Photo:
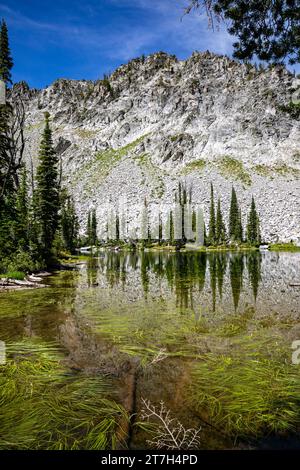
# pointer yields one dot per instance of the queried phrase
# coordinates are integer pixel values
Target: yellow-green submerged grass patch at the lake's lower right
(247, 393)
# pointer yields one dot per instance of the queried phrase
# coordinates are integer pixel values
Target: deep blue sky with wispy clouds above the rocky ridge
(77, 39)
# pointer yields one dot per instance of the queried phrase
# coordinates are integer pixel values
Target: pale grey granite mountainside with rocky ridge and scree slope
(158, 120)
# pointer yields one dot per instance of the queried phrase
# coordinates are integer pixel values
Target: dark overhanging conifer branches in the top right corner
(268, 30)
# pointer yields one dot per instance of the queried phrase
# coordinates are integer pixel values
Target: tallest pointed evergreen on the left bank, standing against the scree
(46, 197)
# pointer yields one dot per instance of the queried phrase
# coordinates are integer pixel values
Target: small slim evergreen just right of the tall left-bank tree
(69, 222)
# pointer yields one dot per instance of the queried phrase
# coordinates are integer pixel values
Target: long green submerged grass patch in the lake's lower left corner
(43, 405)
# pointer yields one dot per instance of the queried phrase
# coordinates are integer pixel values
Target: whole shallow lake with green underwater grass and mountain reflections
(204, 338)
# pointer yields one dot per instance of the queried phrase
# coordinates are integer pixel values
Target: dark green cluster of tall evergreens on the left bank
(28, 228)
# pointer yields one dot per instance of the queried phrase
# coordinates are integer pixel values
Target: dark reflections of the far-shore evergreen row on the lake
(187, 274)
